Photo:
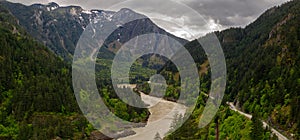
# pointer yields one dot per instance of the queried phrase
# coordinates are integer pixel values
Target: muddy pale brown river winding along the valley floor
(160, 119)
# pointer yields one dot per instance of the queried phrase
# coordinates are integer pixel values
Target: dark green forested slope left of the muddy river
(36, 95)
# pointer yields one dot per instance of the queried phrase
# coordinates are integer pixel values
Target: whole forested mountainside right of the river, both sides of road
(263, 78)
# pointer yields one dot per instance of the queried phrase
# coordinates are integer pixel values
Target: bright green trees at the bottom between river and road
(232, 125)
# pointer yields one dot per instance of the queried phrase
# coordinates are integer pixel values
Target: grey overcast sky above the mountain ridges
(185, 18)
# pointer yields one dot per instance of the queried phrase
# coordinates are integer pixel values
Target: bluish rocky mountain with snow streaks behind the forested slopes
(59, 28)
